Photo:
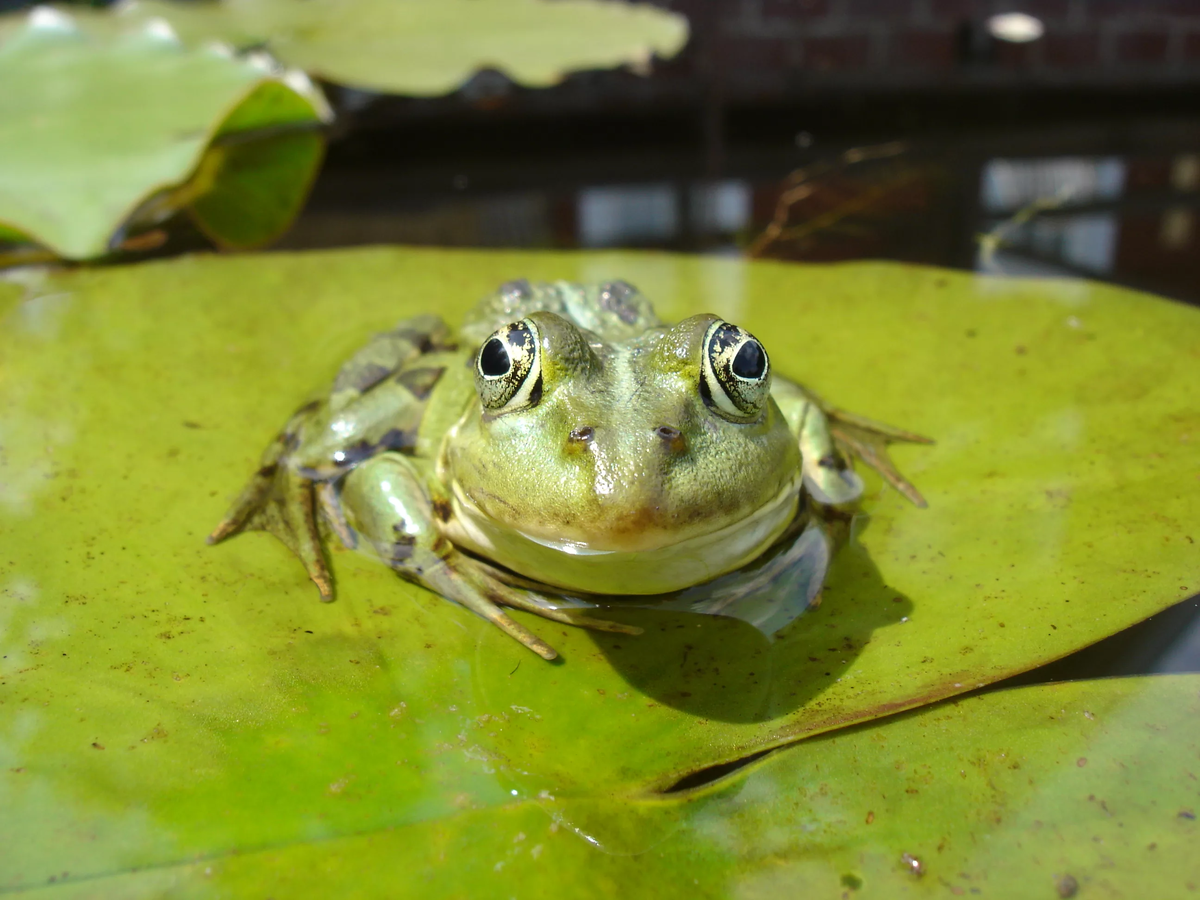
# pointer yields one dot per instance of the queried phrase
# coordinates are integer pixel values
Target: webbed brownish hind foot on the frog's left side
(280, 501)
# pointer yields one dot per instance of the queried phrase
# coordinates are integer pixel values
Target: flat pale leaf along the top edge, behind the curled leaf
(431, 47)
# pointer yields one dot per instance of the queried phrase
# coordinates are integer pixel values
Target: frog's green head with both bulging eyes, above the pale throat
(627, 447)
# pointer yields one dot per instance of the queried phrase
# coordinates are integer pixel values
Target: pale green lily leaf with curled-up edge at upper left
(103, 130)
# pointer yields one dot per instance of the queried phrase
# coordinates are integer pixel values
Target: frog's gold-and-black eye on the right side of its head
(736, 375)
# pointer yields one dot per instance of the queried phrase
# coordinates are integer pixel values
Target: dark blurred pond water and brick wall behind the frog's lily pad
(899, 129)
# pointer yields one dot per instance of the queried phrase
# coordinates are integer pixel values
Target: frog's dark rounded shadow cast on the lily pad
(759, 659)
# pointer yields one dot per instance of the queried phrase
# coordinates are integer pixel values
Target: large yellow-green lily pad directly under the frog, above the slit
(164, 701)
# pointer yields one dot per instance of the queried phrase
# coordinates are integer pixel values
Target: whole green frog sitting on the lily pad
(567, 448)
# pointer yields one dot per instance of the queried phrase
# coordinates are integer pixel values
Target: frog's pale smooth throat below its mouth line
(577, 567)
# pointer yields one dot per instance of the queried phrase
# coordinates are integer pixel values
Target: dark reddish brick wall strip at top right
(943, 43)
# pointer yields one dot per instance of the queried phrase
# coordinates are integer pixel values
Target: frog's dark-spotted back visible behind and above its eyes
(615, 310)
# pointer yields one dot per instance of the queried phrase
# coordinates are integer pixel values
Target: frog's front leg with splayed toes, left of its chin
(386, 501)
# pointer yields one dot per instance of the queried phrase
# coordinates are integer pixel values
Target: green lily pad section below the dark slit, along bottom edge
(1035, 793)
